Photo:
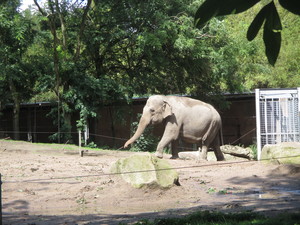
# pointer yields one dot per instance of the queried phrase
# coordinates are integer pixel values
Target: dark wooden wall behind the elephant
(113, 125)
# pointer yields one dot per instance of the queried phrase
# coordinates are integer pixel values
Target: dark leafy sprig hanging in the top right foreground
(268, 16)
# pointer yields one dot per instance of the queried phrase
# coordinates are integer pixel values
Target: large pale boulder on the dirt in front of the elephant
(158, 171)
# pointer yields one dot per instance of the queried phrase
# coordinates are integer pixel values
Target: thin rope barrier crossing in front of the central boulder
(145, 171)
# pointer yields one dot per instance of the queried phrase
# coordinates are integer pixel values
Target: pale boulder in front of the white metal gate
(283, 153)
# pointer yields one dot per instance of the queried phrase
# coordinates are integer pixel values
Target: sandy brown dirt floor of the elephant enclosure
(47, 184)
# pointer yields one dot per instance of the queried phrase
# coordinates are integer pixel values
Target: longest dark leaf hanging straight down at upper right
(272, 34)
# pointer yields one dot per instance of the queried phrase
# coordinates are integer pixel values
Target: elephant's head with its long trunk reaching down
(154, 112)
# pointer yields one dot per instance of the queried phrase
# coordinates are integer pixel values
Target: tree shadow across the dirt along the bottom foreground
(267, 206)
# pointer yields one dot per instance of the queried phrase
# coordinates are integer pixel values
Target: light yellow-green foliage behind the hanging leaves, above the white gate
(253, 70)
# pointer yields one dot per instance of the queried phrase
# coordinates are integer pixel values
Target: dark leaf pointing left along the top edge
(211, 8)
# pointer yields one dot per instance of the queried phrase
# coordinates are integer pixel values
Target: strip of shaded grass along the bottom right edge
(218, 218)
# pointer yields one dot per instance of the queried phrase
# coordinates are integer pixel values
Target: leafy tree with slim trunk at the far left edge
(16, 35)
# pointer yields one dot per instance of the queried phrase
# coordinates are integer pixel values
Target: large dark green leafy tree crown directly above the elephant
(152, 47)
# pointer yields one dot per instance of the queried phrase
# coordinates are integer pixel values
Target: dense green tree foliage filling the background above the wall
(86, 54)
